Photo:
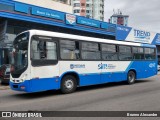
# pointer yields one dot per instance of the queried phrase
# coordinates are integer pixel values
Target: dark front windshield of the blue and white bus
(20, 53)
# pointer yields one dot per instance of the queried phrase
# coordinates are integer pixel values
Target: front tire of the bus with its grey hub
(68, 84)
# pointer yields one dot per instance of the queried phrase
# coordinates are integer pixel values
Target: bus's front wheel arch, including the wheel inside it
(69, 82)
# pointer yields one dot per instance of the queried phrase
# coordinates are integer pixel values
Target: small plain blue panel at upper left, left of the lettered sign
(21, 7)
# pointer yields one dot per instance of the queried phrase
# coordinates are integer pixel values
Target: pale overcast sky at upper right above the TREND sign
(143, 14)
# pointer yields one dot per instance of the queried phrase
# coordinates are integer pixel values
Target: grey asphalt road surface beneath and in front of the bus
(144, 95)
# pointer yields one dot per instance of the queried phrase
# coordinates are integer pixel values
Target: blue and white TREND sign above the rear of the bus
(137, 35)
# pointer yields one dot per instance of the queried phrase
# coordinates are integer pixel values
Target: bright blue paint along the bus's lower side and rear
(43, 84)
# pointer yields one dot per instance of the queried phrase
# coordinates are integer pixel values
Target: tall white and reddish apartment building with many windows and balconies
(93, 9)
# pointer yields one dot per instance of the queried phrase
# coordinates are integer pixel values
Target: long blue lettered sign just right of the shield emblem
(88, 22)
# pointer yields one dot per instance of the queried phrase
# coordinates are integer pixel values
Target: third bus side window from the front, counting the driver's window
(90, 51)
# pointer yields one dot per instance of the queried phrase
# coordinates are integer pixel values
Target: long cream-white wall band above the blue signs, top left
(50, 4)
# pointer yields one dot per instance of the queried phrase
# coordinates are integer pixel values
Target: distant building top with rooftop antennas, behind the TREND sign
(119, 18)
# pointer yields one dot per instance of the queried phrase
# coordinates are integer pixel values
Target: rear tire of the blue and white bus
(131, 77)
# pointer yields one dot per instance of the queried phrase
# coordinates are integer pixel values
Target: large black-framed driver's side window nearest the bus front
(43, 51)
